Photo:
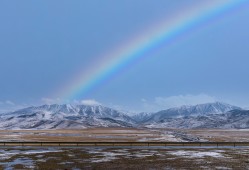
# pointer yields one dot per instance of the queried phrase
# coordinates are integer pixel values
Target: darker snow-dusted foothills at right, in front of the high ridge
(235, 119)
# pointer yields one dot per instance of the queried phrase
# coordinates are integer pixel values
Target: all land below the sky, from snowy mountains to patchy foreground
(210, 122)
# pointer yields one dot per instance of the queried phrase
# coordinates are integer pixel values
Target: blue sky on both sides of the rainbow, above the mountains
(45, 43)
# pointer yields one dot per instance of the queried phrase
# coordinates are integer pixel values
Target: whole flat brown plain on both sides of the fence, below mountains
(124, 157)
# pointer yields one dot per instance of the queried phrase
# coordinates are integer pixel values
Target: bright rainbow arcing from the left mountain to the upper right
(133, 50)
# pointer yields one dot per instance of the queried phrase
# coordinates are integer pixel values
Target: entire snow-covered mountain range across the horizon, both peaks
(66, 116)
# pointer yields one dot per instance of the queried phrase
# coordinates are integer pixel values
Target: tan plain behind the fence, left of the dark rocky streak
(87, 135)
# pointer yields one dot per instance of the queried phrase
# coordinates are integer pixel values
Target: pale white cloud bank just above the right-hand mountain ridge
(160, 103)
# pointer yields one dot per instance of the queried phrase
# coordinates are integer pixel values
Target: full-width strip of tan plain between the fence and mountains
(126, 135)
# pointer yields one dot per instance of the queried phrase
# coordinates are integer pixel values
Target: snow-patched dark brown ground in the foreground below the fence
(123, 158)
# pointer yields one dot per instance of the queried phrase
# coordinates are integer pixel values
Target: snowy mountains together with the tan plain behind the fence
(210, 122)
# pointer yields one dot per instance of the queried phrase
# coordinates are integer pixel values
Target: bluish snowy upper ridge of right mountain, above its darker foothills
(183, 111)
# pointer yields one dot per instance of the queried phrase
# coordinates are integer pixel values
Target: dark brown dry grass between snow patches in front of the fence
(156, 159)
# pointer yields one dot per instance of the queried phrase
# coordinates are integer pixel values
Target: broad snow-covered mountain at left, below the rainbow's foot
(64, 116)
